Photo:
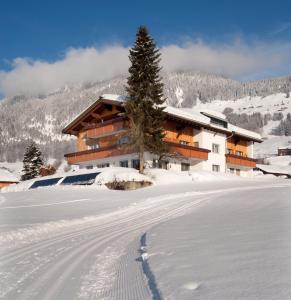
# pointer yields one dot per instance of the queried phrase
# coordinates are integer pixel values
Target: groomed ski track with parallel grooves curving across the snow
(90, 258)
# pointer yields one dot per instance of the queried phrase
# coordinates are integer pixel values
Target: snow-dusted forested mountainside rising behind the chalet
(42, 117)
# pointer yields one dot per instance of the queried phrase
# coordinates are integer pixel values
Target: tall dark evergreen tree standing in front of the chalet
(145, 97)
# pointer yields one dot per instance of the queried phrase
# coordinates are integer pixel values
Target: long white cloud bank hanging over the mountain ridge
(236, 60)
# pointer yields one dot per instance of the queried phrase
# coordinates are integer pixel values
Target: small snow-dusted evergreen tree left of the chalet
(32, 162)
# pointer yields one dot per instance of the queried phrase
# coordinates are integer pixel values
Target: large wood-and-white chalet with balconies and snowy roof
(197, 140)
